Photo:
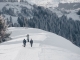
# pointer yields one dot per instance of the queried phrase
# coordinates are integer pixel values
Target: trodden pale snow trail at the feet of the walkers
(29, 53)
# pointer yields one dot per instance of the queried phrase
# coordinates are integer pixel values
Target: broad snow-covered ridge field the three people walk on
(46, 46)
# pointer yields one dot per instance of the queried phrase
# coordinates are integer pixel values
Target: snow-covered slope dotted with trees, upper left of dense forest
(16, 8)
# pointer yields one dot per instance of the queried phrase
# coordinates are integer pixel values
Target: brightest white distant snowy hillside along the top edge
(51, 3)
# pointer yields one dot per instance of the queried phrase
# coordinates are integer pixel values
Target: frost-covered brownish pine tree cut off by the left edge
(3, 28)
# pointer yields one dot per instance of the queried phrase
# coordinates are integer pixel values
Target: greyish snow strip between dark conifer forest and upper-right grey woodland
(71, 13)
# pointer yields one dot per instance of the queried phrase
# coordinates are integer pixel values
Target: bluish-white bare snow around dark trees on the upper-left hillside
(17, 9)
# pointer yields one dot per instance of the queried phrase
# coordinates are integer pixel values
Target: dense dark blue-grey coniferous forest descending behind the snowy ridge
(44, 19)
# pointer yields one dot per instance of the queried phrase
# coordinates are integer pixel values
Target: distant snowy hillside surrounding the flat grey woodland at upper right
(55, 3)
